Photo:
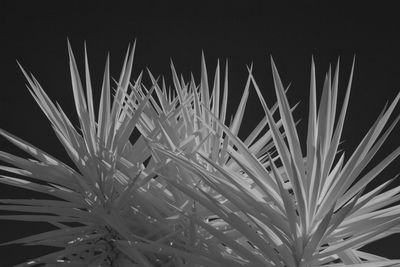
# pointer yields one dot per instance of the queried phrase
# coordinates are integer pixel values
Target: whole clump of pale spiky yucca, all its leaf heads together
(189, 191)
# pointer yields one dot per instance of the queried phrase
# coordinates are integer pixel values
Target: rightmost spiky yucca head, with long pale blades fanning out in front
(311, 211)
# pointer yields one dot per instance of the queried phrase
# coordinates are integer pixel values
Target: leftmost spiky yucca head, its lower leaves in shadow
(122, 211)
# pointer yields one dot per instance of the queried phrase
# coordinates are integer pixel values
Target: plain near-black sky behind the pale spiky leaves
(35, 33)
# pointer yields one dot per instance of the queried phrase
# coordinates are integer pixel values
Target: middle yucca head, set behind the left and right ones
(183, 125)
